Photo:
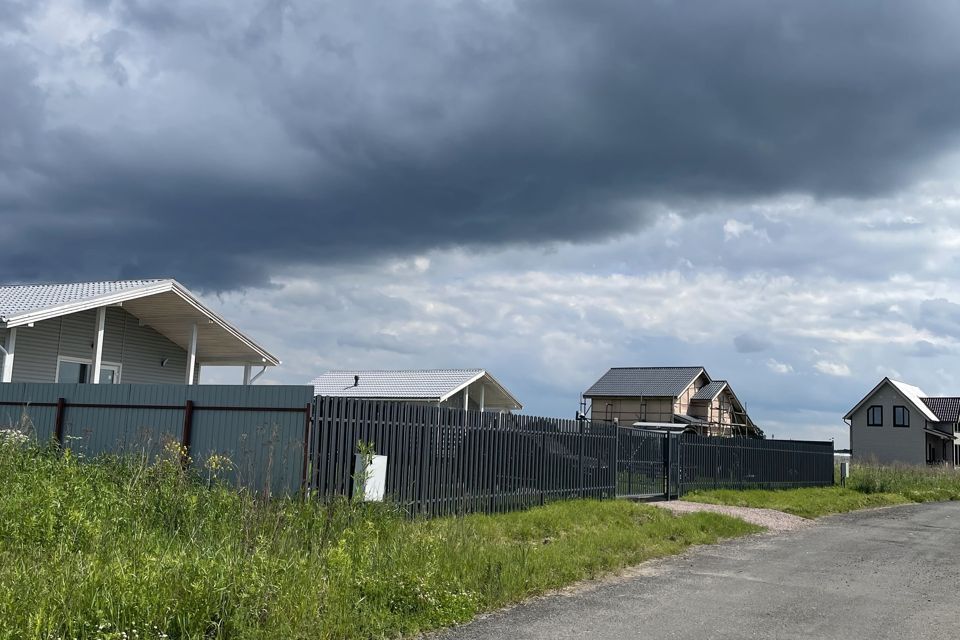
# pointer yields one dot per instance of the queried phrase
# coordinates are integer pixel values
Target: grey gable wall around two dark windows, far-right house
(888, 444)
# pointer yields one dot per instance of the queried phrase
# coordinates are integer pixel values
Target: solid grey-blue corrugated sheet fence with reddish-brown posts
(261, 429)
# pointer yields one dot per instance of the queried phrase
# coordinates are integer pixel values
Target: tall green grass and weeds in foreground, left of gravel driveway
(118, 549)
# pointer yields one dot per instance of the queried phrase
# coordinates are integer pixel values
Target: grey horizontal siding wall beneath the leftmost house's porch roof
(138, 350)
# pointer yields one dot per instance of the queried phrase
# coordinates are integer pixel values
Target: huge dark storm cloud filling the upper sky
(225, 140)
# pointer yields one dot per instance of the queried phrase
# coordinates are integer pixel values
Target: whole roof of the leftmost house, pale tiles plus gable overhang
(163, 304)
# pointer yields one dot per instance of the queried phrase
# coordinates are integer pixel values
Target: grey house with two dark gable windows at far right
(897, 423)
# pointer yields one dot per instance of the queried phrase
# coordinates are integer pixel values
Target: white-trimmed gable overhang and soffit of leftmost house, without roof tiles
(170, 309)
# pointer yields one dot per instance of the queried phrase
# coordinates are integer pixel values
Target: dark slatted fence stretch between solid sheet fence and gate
(444, 461)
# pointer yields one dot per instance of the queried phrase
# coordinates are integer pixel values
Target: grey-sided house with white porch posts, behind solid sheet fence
(130, 331)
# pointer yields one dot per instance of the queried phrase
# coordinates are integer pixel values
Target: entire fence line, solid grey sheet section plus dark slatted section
(440, 461)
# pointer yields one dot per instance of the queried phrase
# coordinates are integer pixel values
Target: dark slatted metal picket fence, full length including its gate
(445, 461)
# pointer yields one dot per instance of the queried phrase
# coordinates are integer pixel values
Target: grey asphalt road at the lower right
(886, 573)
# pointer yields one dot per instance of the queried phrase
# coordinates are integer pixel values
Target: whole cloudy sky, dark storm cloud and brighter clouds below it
(542, 188)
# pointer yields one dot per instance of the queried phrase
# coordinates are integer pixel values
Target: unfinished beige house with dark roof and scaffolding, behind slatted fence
(659, 396)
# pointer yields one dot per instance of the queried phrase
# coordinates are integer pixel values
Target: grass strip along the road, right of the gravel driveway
(868, 486)
